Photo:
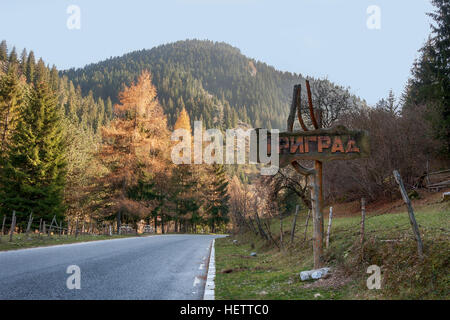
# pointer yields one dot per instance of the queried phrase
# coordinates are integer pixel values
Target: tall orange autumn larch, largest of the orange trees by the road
(135, 151)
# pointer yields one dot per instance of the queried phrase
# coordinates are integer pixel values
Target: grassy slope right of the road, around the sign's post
(274, 273)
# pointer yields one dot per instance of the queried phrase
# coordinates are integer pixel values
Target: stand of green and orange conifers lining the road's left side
(70, 155)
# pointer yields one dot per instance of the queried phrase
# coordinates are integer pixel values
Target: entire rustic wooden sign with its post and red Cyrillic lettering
(320, 145)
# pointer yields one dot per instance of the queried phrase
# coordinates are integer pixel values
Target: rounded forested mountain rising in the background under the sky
(213, 81)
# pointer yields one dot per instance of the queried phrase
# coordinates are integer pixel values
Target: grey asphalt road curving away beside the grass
(155, 267)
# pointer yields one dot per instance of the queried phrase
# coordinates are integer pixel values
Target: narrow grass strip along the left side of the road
(21, 241)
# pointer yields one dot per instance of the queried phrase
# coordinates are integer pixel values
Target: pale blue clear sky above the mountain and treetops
(369, 51)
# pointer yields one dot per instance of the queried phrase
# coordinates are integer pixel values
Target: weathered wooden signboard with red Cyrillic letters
(337, 143)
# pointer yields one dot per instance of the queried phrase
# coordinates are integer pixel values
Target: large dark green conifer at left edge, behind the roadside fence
(33, 174)
